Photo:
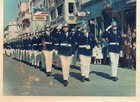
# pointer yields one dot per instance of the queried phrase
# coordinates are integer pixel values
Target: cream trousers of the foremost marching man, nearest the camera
(65, 62)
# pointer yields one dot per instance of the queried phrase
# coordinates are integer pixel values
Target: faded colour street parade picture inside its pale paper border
(69, 48)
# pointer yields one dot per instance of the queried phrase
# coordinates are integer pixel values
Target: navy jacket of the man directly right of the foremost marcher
(83, 40)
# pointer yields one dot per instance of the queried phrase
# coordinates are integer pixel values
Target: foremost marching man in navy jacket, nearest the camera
(66, 51)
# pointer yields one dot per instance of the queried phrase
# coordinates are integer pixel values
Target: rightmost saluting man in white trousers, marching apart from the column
(115, 41)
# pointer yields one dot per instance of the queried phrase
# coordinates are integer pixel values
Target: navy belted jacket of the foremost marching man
(66, 44)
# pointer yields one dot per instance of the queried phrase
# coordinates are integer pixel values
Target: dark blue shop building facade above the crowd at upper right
(103, 12)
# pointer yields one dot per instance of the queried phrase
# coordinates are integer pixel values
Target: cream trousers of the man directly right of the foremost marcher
(85, 65)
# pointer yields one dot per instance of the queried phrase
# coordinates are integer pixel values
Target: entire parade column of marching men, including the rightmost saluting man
(46, 47)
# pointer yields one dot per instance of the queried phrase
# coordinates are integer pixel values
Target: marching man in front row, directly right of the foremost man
(86, 43)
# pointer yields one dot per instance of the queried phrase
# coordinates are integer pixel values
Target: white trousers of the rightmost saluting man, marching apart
(114, 58)
